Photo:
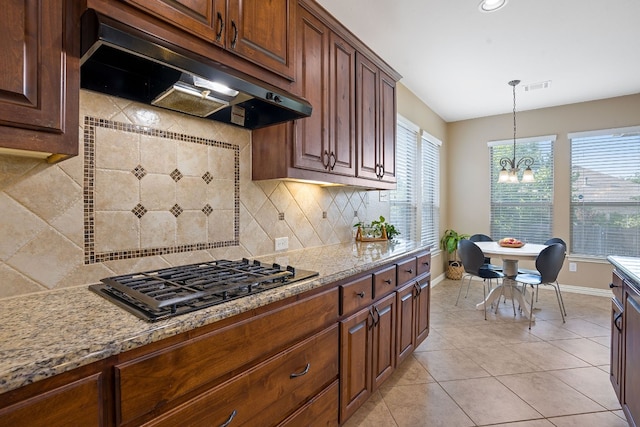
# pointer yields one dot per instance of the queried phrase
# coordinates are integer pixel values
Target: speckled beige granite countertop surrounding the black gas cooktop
(48, 333)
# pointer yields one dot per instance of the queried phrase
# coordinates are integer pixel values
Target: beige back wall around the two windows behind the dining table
(467, 175)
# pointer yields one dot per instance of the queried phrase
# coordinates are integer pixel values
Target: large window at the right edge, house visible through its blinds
(605, 192)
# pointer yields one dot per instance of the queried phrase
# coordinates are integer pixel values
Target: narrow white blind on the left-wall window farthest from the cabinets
(430, 180)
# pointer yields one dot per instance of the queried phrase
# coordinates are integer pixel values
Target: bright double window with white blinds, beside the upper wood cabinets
(415, 204)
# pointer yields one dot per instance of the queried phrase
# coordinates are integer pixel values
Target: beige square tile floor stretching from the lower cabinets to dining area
(472, 372)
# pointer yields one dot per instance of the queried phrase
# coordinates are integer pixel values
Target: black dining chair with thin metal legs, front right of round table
(548, 265)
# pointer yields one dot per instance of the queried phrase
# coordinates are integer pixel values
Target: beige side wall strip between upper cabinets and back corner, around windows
(413, 109)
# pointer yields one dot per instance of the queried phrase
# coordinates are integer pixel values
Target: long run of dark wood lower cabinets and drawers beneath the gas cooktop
(310, 360)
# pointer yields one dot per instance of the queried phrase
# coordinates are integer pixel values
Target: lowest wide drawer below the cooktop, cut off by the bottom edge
(322, 410)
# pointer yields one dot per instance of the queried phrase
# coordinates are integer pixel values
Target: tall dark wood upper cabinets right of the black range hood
(350, 136)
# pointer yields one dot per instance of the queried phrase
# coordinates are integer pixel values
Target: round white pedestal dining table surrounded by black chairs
(510, 258)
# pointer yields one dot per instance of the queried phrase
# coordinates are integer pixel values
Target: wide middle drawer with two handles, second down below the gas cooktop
(265, 394)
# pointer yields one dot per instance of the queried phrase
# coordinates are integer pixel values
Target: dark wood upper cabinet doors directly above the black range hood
(259, 31)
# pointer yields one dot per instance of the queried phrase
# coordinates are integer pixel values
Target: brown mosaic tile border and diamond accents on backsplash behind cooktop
(92, 253)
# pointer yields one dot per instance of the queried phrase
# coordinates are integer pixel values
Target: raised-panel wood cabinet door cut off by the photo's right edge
(631, 381)
